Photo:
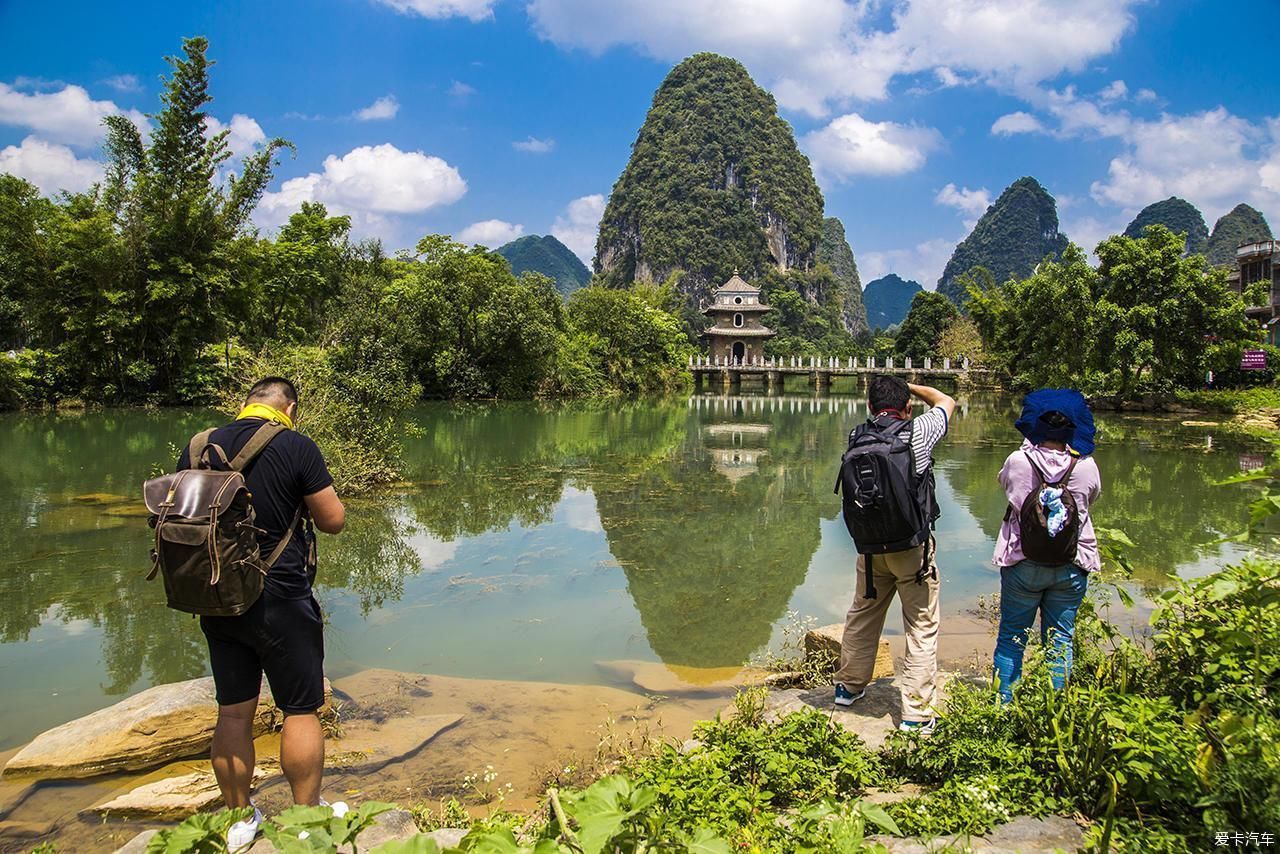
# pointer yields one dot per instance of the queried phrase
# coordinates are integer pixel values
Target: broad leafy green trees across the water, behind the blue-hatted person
(1148, 319)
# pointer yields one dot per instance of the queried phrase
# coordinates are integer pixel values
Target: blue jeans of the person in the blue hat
(1027, 590)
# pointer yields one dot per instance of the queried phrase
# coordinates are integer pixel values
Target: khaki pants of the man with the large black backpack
(895, 573)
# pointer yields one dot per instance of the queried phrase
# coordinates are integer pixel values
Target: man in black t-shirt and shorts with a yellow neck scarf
(282, 634)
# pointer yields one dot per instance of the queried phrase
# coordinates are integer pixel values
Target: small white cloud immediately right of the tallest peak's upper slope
(853, 147)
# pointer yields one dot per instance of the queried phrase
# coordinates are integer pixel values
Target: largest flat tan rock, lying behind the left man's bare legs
(152, 728)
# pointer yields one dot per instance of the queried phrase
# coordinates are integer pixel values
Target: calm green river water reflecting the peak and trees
(537, 540)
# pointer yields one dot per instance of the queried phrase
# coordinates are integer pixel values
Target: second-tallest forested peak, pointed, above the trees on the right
(1016, 235)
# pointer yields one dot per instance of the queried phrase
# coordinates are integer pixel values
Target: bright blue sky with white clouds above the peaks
(487, 120)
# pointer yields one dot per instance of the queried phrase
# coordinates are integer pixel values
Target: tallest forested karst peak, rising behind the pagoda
(715, 182)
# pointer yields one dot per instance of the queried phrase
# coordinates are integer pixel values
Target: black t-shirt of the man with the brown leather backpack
(289, 469)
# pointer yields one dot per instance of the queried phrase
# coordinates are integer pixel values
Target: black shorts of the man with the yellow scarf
(285, 640)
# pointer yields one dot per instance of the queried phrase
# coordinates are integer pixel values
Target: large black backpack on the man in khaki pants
(888, 508)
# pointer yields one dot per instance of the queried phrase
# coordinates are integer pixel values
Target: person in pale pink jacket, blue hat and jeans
(1048, 547)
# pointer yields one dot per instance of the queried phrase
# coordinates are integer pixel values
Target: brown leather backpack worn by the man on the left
(205, 538)
